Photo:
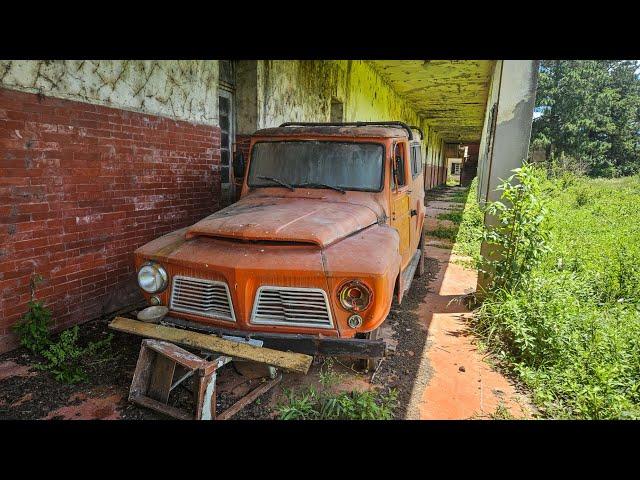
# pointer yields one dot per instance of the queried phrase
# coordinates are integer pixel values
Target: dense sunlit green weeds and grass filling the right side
(567, 320)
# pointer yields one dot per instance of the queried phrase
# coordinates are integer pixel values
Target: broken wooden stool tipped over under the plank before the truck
(153, 380)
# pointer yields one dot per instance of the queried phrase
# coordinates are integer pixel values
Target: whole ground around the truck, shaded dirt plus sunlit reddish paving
(437, 368)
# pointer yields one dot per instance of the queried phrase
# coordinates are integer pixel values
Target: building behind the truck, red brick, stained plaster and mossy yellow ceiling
(100, 157)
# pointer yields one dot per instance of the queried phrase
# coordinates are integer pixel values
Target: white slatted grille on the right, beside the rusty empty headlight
(298, 307)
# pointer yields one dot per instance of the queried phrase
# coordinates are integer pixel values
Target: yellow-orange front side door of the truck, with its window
(400, 200)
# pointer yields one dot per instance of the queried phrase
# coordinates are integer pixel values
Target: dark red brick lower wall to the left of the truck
(81, 187)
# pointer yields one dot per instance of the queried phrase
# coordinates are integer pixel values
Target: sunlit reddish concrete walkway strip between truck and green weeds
(462, 383)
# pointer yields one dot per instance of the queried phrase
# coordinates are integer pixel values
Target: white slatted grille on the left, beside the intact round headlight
(207, 298)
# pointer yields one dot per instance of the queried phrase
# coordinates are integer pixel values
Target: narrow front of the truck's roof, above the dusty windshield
(334, 130)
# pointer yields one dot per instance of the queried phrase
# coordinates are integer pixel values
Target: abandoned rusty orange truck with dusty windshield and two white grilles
(328, 228)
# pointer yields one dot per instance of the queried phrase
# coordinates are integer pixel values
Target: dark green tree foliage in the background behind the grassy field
(590, 112)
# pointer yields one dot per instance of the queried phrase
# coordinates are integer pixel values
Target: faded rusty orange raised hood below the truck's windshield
(286, 219)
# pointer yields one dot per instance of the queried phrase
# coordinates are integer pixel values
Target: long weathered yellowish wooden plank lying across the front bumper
(295, 362)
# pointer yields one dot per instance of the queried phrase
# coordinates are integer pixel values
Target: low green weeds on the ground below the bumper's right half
(326, 404)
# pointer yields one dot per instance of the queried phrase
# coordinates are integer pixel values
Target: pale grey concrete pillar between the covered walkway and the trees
(511, 102)
